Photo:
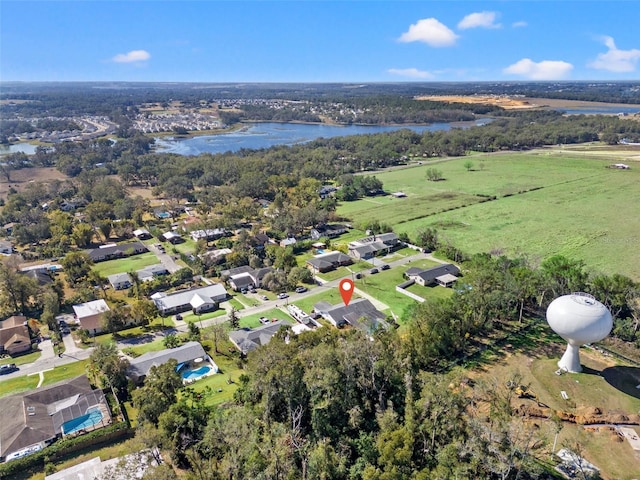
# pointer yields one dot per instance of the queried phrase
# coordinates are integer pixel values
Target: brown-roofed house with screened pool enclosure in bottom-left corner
(31, 420)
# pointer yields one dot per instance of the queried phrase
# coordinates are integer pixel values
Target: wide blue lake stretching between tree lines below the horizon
(265, 135)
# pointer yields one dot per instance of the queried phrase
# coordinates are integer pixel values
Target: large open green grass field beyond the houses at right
(571, 212)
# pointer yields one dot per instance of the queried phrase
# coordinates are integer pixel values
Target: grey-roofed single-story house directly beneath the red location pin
(360, 313)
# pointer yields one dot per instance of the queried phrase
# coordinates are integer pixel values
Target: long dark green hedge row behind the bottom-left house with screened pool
(63, 447)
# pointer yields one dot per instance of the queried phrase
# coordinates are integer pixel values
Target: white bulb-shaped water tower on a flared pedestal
(578, 318)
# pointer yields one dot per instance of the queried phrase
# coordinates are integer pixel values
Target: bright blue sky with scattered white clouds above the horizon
(318, 41)
